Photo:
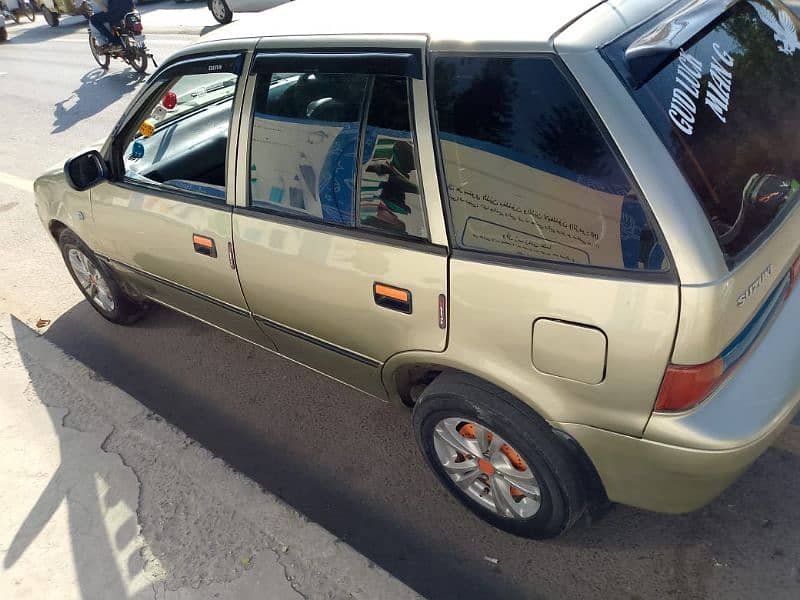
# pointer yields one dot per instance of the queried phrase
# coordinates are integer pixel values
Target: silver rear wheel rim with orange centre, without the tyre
(486, 468)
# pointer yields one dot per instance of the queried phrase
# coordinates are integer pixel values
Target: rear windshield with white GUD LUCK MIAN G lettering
(725, 105)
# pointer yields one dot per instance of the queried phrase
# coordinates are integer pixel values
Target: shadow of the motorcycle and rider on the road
(97, 91)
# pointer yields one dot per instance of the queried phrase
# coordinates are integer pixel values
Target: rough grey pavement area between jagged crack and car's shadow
(201, 525)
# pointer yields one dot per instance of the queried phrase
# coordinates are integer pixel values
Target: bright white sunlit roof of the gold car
(502, 21)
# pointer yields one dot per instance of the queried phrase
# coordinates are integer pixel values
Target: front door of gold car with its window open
(166, 213)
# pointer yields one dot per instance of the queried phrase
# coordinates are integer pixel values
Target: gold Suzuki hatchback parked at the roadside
(567, 236)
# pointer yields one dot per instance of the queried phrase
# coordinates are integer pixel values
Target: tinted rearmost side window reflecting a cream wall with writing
(528, 171)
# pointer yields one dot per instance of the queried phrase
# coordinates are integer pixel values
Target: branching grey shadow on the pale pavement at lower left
(89, 484)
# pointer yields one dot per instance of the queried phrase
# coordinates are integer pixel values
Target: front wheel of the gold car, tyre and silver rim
(97, 282)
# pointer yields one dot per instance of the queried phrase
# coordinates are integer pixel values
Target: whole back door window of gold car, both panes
(309, 132)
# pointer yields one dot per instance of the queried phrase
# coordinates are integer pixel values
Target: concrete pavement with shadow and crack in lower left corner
(103, 499)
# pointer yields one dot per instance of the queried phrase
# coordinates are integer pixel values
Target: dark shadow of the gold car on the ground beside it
(349, 463)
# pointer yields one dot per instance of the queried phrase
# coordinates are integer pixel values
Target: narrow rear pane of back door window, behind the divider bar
(390, 197)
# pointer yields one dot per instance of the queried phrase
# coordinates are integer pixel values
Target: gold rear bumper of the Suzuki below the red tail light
(686, 460)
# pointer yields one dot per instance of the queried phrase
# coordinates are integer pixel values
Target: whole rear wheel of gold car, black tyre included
(528, 444)
